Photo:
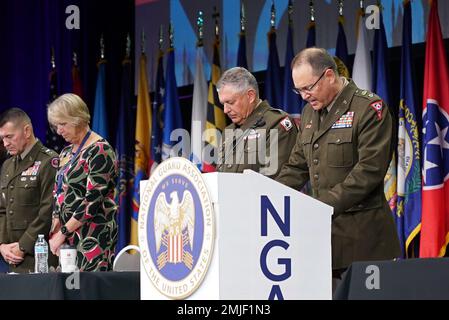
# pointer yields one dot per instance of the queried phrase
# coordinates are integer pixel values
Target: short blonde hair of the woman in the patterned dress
(70, 108)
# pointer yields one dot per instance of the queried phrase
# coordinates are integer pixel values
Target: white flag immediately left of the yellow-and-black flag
(199, 109)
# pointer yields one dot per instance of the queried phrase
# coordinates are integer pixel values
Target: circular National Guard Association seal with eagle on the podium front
(176, 228)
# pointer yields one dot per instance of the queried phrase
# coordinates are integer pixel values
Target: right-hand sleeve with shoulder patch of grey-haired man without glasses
(286, 138)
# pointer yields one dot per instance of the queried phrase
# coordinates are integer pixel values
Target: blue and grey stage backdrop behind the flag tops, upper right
(150, 14)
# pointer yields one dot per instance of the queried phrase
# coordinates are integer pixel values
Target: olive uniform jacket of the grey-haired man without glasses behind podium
(253, 145)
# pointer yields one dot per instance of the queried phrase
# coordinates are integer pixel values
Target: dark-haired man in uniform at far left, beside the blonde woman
(27, 180)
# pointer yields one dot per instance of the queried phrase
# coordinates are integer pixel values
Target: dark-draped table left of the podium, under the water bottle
(71, 286)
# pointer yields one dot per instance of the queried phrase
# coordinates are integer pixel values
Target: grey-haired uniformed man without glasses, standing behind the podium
(260, 137)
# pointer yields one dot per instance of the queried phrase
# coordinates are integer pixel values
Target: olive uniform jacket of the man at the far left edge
(26, 200)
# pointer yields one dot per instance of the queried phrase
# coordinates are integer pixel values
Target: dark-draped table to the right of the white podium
(392, 280)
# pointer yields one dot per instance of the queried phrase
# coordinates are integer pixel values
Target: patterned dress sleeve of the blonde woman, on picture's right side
(102, 172)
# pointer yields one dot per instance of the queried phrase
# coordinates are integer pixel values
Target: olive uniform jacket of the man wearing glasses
(346, 160)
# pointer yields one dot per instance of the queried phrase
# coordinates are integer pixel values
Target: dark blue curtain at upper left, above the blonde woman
(28, 30)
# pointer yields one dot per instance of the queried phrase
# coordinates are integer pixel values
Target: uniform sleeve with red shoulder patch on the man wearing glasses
(374, 155)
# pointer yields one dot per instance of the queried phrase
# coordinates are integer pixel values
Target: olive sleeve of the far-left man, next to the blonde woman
(42, 222)
